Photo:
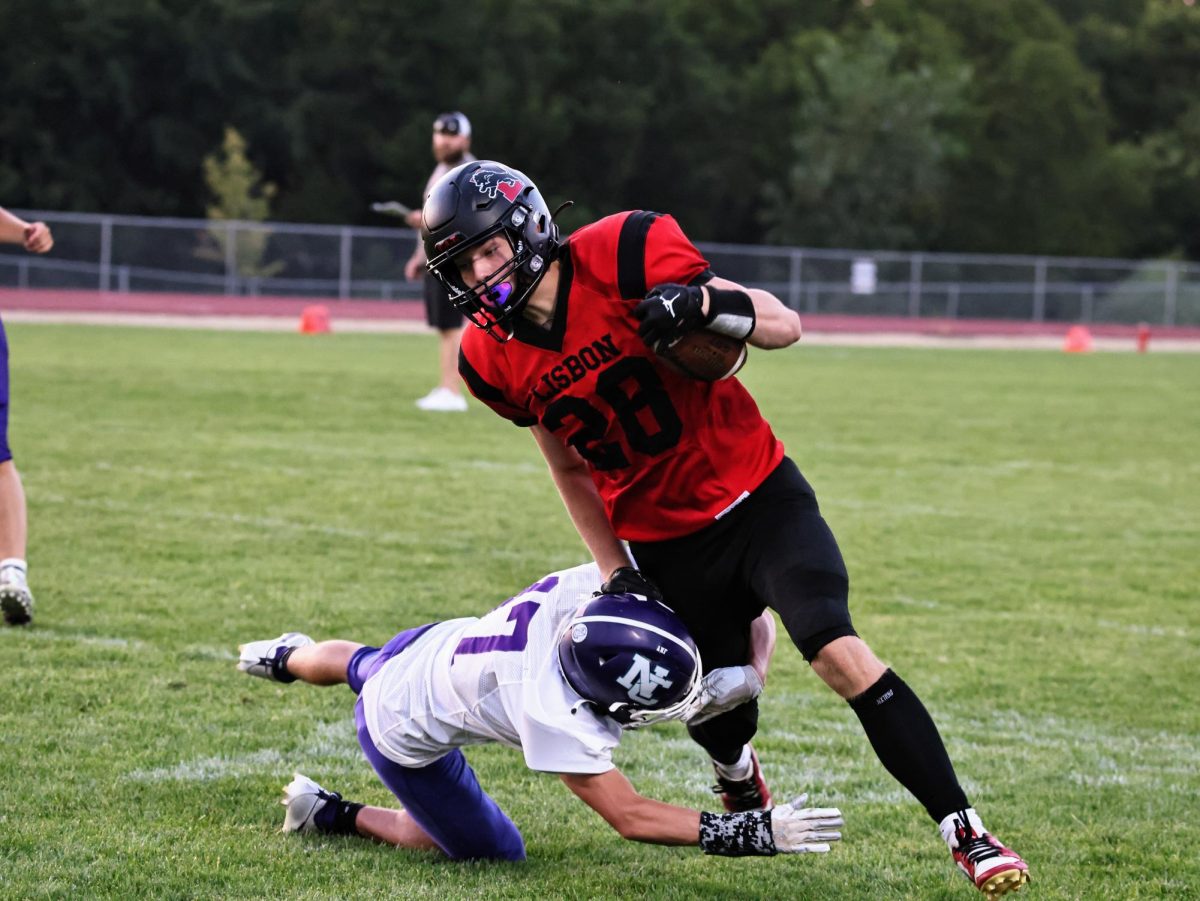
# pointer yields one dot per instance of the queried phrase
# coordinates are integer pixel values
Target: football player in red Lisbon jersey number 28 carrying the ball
(687, 472)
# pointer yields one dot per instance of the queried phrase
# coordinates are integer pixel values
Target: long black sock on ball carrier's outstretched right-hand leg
(909, 746)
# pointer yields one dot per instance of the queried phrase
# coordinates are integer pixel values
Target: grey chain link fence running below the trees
(131, 254)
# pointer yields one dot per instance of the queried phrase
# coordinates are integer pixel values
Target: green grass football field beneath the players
(1023, 532)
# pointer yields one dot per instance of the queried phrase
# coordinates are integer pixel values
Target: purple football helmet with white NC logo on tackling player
(632, 659)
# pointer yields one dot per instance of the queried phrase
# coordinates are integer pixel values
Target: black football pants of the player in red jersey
(775, 550)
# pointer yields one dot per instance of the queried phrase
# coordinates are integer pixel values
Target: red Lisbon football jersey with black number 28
(668, 454)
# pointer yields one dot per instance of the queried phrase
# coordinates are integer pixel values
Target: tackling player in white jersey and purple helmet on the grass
(549, 674)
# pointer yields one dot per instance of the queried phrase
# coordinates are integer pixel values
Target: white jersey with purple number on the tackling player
(496, 678)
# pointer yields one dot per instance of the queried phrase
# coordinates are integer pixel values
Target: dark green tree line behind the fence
(1021, 127)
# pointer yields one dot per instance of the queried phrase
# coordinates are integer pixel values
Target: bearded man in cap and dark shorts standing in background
(452, 147)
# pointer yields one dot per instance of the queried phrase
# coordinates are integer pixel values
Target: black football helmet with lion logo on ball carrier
(467, 207)
